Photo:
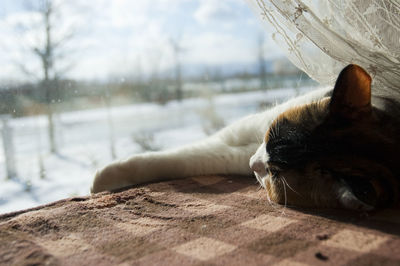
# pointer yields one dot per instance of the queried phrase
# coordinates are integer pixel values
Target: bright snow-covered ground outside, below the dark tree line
(84, 142)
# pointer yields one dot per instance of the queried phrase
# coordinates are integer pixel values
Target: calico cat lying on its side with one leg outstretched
(329, 148)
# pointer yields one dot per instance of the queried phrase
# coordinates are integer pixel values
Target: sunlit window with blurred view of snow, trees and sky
(83, 84)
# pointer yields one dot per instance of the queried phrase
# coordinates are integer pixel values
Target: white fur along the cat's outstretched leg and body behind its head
(226, 152)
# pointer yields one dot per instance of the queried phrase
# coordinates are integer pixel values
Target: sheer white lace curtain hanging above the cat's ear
(322, 36)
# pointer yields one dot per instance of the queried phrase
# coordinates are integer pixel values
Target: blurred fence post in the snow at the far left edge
(8, 147)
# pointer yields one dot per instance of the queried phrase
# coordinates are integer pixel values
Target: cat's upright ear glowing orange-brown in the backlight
(351, 96)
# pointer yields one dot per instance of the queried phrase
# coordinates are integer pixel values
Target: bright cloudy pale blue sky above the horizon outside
(127, 37)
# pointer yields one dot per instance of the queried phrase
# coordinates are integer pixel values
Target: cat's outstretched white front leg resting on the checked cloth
(209, 157)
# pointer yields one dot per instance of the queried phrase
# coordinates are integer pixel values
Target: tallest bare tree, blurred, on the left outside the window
(49, 54)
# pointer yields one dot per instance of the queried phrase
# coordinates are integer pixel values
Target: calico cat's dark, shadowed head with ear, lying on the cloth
(338, 152)
